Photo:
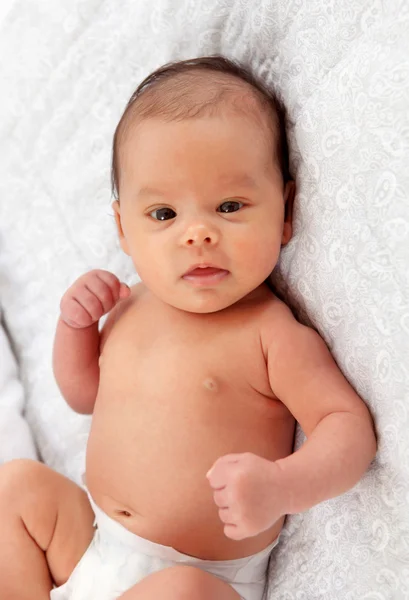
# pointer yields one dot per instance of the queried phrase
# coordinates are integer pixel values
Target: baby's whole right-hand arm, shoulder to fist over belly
(252, 493)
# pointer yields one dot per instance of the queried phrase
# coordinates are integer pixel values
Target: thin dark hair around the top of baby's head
(218, 64)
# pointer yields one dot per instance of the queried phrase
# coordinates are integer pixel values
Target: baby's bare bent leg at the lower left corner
(46, 524)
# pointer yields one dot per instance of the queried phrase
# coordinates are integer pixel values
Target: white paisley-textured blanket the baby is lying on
(342, 68)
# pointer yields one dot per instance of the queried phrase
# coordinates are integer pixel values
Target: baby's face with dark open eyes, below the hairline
(200, 192)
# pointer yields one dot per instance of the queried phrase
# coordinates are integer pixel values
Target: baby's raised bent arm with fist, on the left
(77, 340)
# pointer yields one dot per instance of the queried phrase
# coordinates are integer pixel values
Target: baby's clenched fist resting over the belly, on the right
(248, 493)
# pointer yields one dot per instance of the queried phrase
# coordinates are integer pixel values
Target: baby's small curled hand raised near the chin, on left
(90, 297)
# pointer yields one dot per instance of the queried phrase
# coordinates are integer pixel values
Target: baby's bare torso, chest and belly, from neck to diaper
(222, 404)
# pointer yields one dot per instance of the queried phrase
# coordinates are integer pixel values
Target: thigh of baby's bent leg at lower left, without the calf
(55, 511)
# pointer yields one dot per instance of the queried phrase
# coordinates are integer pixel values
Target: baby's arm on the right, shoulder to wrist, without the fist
(341, 441)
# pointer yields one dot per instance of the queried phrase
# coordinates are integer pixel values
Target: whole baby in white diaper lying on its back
(198, 375)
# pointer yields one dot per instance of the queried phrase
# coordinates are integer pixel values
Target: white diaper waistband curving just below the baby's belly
(108, 527)
